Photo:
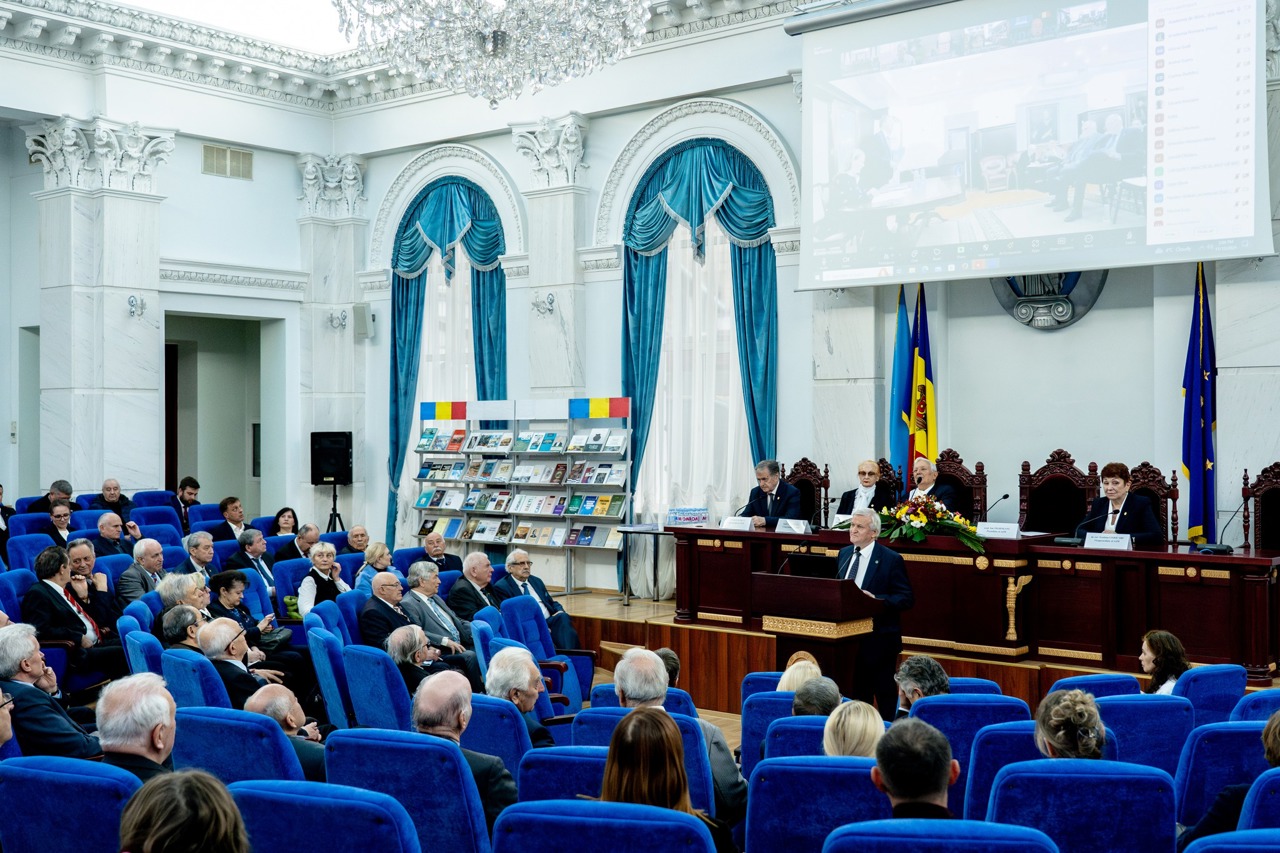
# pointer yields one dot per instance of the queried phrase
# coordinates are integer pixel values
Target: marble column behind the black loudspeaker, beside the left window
(333, 232)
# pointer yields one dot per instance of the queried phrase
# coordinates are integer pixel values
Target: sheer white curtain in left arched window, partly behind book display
(447, 372)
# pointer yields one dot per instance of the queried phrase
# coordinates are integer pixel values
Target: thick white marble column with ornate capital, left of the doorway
(102, 339)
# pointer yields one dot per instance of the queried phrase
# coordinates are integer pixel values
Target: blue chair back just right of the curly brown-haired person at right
(1153, 729)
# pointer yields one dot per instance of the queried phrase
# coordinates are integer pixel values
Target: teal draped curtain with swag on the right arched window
(688, 184)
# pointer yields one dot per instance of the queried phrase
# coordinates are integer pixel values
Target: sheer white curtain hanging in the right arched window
(698, 451)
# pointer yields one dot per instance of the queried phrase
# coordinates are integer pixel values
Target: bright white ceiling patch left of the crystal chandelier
(305, 25)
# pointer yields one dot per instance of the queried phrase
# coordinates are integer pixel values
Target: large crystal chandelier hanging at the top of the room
(492, 49)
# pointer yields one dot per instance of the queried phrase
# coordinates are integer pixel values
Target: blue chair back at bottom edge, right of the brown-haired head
(333, 818)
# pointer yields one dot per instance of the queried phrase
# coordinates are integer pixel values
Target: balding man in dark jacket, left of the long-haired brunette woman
(442, 708)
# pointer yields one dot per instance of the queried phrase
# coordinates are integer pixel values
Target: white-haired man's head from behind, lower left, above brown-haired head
(136, 726)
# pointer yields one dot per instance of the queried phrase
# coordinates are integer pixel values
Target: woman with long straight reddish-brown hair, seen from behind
(647, 767)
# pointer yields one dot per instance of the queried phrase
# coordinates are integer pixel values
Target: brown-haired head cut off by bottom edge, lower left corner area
(188, 811)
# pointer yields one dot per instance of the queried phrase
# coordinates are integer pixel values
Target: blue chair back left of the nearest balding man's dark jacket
(428, 776)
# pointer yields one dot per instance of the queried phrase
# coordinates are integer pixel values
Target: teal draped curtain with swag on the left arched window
(447, 213)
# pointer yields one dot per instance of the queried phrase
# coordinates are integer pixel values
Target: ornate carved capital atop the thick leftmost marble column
(98, 154)
